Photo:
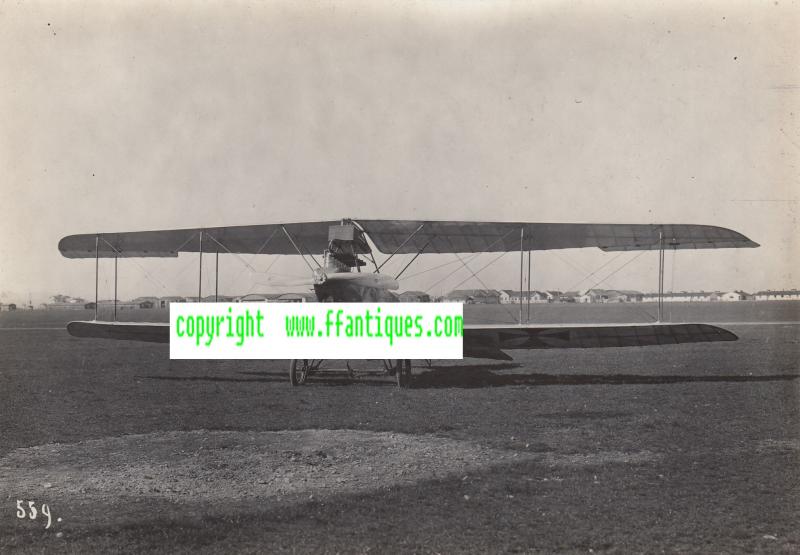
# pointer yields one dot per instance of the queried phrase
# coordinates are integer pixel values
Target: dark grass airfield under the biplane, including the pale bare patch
(677, 448)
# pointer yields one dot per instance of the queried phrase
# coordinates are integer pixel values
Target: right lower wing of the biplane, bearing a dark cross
(490, 340)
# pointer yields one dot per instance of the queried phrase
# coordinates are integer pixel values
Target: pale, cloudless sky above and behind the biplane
(132, 116)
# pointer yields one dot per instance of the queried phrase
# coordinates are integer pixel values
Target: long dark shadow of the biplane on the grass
(476, 376)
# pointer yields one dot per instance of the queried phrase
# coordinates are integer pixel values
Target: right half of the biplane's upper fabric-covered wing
(462, 237)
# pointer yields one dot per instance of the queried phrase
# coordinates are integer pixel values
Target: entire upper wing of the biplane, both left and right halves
(404, 236)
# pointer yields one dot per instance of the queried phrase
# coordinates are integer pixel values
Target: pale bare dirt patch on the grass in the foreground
(213, 466)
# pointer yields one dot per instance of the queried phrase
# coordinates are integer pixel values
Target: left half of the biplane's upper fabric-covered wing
(265, 239)
